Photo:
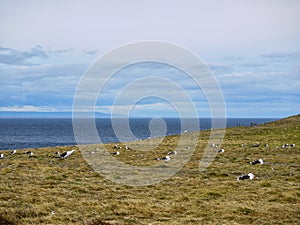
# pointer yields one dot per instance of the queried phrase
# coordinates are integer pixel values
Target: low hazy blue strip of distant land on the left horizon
(45, 115)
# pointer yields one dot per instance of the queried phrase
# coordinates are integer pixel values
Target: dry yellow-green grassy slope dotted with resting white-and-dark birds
(44, 189)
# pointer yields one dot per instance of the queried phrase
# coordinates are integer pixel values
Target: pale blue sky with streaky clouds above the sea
(251, 47)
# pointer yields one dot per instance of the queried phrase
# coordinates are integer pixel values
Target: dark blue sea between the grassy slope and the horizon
(48, 132)
